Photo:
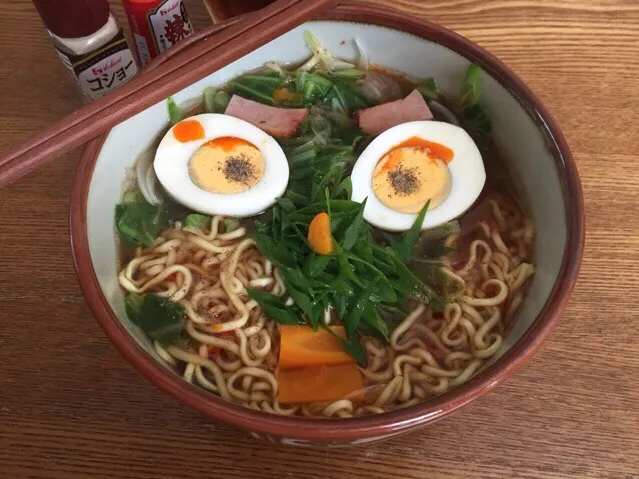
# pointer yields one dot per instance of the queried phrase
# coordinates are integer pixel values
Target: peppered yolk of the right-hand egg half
(410, 175)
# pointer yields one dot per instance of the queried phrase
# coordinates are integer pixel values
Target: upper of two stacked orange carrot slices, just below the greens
(300, 347)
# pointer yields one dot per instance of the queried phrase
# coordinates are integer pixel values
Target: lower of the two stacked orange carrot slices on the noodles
(318, 384)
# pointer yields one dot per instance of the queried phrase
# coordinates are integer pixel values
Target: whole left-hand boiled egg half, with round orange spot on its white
(218, 164)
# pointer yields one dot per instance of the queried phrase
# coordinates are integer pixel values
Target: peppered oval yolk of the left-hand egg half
(226, 165)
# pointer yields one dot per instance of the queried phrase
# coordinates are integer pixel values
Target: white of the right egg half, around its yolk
(466, 169)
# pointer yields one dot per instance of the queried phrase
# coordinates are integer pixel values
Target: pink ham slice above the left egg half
(279, 122)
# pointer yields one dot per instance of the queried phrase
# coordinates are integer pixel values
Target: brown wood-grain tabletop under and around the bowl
(70, 407)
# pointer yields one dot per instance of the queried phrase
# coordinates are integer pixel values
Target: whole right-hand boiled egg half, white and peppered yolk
(413, 163)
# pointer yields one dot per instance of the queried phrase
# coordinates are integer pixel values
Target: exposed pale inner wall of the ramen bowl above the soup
(514, 128)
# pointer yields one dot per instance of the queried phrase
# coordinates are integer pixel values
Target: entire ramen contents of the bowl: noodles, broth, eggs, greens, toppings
(353, 245)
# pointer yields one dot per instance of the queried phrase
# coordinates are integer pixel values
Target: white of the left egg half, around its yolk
(172, 169)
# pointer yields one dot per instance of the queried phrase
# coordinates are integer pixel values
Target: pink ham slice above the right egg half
(380, 118)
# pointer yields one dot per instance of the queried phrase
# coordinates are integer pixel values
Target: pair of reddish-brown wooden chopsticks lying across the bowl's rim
(184, 68)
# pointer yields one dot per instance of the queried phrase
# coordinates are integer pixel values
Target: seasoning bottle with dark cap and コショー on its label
(91, 44)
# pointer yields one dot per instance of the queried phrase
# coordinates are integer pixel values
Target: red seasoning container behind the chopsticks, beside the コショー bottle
(156, 25)
